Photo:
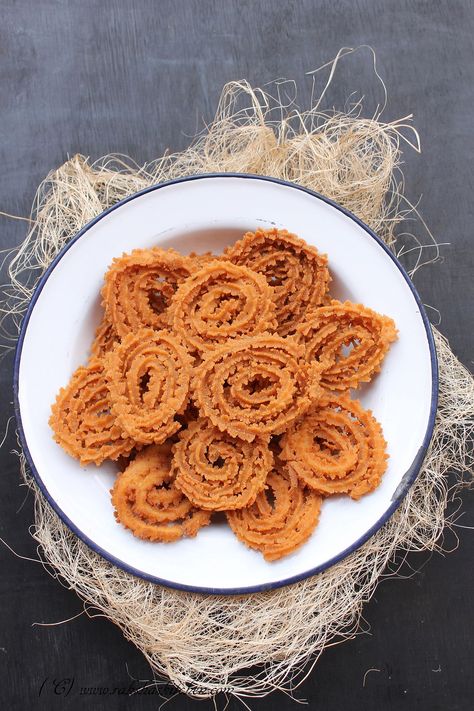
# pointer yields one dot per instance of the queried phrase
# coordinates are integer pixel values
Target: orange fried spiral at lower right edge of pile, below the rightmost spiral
(337, 448)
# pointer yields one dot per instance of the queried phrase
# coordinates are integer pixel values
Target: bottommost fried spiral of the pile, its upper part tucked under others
(279, 524)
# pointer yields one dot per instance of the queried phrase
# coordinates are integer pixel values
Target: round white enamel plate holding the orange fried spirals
(199, 214)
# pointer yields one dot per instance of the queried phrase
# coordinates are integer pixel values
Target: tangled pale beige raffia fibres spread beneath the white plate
(201, 642)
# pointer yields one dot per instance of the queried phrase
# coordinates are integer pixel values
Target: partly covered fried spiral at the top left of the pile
(139, 286)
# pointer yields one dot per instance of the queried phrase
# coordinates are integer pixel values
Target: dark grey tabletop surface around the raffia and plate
(141, 76)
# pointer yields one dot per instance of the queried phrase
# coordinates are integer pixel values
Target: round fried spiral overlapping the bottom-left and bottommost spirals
(219, 472)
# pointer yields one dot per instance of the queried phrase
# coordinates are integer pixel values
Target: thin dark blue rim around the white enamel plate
(407, 479)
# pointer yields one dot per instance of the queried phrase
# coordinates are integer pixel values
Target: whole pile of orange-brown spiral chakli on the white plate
(222, 383)
